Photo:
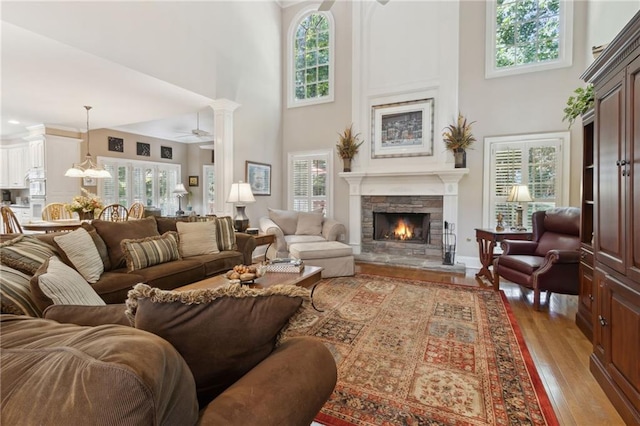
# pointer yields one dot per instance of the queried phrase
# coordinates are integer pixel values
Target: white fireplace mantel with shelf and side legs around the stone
(428, 182)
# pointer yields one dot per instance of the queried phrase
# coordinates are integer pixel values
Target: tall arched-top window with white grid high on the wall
(310, 70)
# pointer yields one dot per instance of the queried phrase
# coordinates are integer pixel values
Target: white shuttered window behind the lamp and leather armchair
(537, 161)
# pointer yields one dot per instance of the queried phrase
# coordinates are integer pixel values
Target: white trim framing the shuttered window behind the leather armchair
(562, 173)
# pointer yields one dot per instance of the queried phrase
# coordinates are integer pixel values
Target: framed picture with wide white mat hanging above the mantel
(403, 129)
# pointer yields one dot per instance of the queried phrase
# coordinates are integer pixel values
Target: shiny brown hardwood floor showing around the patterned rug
(559, 349)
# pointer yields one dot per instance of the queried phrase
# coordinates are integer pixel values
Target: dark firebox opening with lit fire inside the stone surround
(401, 227)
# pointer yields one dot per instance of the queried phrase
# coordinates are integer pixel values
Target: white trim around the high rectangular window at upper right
(564, 60)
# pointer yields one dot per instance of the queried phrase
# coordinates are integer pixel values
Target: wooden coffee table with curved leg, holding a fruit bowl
(308, 278)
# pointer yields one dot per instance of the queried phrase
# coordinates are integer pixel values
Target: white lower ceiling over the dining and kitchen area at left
(48, 82)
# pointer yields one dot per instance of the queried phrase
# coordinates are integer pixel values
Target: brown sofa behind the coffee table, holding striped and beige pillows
(116, 281)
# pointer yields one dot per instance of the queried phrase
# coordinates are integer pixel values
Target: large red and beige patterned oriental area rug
(419, 353)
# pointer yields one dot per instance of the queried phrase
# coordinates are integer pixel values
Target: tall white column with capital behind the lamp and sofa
(223, 151)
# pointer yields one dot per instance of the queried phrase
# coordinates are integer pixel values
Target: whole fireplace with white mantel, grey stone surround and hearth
(433, 194)
